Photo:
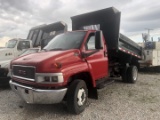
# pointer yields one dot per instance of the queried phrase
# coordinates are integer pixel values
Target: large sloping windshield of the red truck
(65, 41)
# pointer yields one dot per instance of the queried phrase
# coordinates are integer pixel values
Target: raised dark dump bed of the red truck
(107, 20)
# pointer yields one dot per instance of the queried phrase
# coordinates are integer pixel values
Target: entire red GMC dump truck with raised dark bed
(75, 64)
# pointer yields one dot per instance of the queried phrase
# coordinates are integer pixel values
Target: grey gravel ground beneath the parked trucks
(117, 101)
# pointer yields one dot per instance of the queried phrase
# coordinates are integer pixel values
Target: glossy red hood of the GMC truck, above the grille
(44, 61)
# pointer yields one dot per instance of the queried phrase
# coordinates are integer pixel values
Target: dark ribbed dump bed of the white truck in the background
(46, 32)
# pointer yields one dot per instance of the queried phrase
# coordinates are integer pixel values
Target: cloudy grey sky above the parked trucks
(17, 17)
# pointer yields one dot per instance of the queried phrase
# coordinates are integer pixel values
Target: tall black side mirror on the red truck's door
(98, 40)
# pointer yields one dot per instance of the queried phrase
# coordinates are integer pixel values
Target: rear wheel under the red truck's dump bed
(132, 74)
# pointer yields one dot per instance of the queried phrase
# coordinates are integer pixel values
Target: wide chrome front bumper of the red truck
(38, 96)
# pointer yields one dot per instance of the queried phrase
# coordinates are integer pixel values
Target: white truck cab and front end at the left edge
(13, 49)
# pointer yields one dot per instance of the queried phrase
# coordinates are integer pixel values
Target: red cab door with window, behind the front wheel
(96, 56)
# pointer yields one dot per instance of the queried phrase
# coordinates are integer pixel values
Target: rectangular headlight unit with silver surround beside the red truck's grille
(49, 78)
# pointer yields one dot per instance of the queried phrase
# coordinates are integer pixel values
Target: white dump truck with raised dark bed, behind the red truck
(38, 36)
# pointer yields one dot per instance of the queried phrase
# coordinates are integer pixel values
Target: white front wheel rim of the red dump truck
(81, 97)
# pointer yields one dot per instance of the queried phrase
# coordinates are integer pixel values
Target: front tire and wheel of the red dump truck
(77, 96)
